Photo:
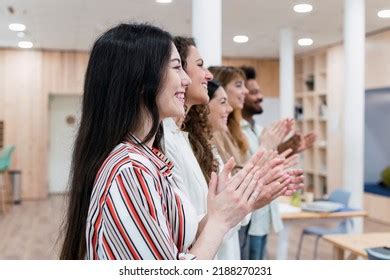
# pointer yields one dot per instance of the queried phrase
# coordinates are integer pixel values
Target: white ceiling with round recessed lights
(74, 24)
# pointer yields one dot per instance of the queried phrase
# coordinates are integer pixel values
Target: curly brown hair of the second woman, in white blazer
(195, 122)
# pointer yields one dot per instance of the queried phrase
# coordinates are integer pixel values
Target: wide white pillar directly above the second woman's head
(207, 29)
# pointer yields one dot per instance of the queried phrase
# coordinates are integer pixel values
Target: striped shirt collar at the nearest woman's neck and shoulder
(155, 155)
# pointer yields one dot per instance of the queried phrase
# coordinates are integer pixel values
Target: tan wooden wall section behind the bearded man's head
(267, 72)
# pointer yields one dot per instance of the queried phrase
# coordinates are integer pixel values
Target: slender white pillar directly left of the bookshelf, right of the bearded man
(286, 73)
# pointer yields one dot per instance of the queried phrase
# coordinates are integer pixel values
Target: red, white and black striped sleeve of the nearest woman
(135, 222)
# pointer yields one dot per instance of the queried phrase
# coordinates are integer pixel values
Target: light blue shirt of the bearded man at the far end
(267, 218)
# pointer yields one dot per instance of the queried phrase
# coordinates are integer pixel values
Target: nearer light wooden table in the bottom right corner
(356, 243)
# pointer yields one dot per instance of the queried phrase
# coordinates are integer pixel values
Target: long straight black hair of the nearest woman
(124, 75)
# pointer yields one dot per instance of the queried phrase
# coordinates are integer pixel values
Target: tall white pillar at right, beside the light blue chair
(353, 161)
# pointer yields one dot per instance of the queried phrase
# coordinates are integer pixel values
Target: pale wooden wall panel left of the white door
(21, 108)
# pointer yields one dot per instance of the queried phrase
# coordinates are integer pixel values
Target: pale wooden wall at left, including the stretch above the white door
(26, 80)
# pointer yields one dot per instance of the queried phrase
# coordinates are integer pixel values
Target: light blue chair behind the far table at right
(339, 196)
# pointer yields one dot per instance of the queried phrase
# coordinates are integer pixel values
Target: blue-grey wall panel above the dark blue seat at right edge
(377, 133)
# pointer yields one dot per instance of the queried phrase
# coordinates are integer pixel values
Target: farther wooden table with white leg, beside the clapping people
(291, 215)
